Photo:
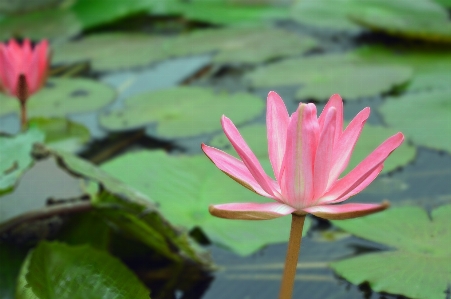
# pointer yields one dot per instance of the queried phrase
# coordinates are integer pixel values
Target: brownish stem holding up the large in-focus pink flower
(291, 260)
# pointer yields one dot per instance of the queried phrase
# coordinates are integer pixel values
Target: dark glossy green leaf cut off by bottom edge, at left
(56, 270)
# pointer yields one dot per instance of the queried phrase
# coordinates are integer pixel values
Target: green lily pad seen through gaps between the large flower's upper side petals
(371, 137)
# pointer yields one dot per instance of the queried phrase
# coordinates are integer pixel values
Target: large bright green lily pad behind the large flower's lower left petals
(185, 186)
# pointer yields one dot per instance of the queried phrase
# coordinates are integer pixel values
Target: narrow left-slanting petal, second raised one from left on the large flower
(247, 156)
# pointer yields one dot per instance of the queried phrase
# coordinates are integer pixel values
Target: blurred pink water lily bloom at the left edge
(22, 62)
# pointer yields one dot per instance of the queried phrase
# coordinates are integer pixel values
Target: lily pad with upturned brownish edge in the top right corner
(421, 19)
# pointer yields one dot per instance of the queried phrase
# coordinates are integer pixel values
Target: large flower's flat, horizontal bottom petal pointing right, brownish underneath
(346, 211)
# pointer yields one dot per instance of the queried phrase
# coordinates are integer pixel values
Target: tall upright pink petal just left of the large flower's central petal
(277, 119)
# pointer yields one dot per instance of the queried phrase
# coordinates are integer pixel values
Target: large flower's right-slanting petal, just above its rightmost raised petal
(345, 145)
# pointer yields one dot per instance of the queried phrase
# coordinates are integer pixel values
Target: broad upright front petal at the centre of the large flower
(302, 139)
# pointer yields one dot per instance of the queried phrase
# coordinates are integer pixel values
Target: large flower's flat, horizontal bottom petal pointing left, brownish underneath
(251, 211)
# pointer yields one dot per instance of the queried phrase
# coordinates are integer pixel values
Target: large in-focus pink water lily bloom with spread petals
(307, 154)
